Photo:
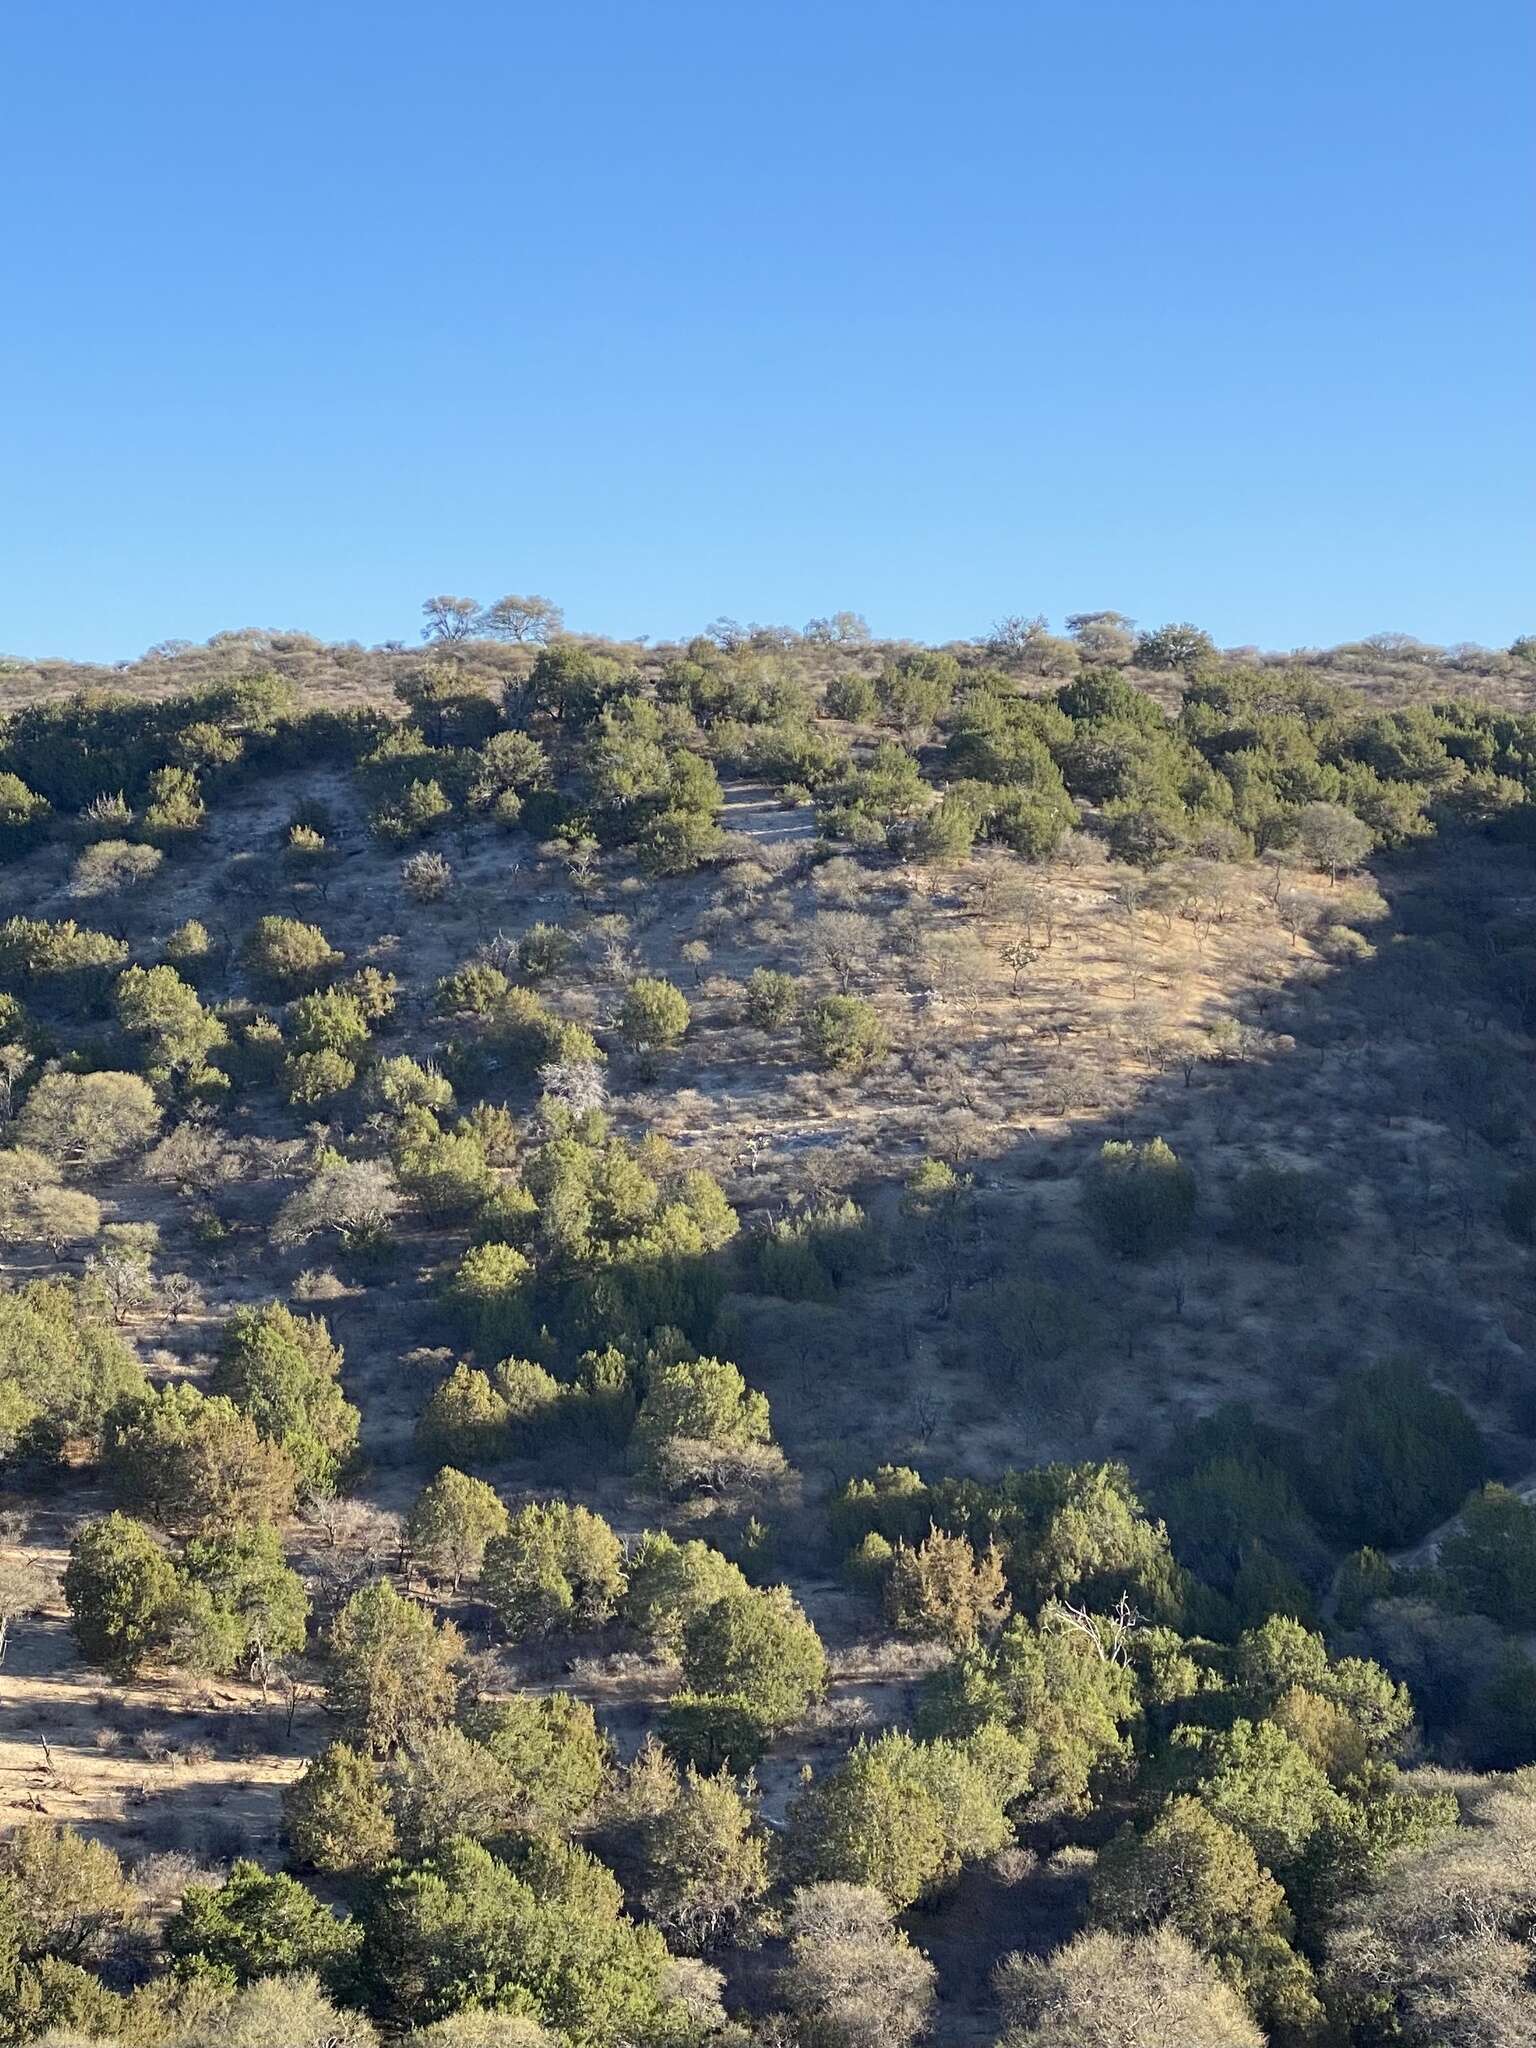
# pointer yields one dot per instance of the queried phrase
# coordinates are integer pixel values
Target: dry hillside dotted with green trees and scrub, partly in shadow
(867, 1308)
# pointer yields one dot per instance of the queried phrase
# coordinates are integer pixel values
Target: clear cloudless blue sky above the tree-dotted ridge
(1207, 310)
